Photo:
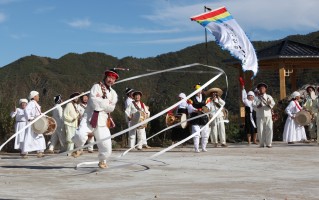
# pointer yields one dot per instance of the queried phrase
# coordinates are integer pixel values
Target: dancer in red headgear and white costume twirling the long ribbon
(102, 101)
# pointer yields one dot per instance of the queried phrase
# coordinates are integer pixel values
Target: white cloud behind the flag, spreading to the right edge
(251, 14)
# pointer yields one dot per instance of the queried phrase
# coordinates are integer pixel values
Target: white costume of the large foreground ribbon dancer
(104, 106)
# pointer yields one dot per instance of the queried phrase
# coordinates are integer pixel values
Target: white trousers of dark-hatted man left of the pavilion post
(265, 131)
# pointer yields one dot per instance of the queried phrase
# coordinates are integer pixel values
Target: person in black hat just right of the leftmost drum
(59, 136)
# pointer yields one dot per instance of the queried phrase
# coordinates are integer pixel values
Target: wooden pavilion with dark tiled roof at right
(284, 60)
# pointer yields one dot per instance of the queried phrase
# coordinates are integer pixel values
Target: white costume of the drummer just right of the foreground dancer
(141, 133)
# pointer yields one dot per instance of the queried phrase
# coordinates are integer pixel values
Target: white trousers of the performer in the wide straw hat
(218, 130)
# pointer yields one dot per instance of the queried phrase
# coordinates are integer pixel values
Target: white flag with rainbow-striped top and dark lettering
(229, 35)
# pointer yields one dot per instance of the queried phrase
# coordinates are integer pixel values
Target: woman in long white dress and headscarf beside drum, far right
(292, 131)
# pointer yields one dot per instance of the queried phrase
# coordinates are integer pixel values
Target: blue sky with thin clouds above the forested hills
(138, 28)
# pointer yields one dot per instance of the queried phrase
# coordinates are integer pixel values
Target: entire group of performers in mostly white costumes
(88, 118)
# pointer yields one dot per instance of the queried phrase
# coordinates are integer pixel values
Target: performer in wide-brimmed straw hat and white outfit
(217, 125)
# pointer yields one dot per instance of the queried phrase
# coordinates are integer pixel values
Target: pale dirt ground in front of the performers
(237, 172)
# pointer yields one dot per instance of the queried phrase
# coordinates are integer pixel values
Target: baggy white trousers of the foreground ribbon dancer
(100, 133)
